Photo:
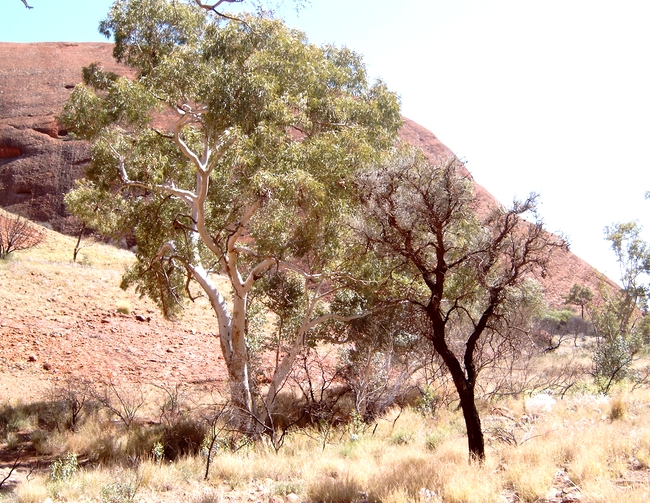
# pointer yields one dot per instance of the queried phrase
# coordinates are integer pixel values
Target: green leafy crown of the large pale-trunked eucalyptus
(260, 85)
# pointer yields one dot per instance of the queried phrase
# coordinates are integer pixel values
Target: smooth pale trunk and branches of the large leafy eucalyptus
(232, 324)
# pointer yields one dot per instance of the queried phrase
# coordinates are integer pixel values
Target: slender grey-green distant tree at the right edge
(621, 321)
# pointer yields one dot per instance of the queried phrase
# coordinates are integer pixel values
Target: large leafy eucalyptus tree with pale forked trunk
(230, 152)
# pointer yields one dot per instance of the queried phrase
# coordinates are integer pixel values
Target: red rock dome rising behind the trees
(39, 163)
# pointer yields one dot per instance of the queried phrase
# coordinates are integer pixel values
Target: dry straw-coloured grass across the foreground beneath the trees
(576, 449)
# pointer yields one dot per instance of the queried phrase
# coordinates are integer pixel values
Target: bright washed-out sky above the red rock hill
(548, 97)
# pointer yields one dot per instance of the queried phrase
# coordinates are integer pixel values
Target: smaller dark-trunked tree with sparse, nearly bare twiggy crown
(469, 278)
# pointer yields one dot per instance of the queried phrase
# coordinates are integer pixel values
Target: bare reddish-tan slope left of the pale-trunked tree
(59, 318)
